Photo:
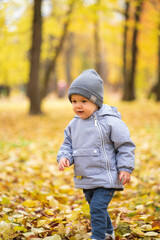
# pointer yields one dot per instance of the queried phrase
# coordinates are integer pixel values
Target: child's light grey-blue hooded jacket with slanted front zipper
(99, 147)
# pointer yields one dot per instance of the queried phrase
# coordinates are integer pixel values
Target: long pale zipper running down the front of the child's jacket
(104, 152)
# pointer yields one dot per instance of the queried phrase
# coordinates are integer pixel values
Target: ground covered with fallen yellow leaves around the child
(38, 202)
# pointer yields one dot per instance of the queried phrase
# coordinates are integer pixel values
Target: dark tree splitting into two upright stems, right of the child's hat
(129, 64)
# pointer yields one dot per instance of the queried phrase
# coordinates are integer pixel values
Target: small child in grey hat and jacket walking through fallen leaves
(97, 142)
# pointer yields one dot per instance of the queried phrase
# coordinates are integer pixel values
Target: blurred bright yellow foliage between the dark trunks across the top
(16, 37)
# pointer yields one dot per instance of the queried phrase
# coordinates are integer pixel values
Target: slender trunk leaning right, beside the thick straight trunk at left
(51, 66)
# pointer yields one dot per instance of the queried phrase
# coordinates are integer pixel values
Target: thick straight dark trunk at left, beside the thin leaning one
(33, 84)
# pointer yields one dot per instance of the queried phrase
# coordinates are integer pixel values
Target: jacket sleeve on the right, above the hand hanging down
(123, 145)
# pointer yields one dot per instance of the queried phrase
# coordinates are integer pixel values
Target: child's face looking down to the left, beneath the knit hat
(82, 106)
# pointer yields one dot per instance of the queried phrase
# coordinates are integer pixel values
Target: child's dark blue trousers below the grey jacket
(99, 199)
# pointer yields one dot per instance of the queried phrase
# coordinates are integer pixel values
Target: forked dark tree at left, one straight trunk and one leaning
(37, 88)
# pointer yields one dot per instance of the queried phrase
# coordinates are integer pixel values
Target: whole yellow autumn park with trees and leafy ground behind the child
(44, 45)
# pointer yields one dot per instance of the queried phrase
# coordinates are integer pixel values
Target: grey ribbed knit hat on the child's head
(88, 84)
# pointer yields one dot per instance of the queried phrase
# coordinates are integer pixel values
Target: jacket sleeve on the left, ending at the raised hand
(66, 147)
